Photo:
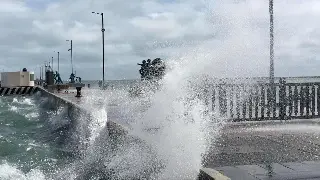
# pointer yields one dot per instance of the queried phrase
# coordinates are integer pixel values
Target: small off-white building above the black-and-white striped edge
(14, 79)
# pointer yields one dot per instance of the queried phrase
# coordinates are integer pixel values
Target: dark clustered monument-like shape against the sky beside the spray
(152, 69)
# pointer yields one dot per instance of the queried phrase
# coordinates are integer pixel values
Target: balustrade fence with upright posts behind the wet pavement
(243, 102)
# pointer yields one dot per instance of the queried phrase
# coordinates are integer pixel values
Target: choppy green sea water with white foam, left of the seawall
(29, 145)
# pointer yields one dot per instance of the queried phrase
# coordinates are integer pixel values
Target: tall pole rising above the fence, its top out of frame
(271, 42)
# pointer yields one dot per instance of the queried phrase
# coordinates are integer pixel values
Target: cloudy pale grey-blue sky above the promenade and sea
(33, 31)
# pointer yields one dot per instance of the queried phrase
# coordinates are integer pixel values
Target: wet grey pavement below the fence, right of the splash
(276, 151)
